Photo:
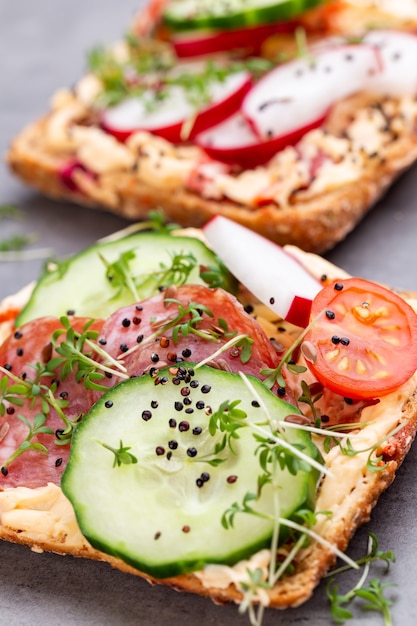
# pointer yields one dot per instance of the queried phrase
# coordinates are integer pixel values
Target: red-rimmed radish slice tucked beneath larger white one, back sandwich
(234, 141)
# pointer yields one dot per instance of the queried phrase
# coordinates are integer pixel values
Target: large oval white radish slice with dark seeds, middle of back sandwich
(295, 94)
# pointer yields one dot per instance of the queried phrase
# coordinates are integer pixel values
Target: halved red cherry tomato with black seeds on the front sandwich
(365, 338)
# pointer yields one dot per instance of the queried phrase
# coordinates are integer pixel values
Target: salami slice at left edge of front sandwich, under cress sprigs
(43, 460)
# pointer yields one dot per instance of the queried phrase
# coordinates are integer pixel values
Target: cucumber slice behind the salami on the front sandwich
(80, 284)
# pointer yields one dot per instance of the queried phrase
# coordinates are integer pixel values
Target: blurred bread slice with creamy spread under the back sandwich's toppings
(366, 143)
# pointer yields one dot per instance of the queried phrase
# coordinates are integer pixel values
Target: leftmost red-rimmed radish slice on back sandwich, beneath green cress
(168, 117)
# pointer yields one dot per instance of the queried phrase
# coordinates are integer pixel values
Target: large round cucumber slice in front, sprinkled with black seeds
(162, 514)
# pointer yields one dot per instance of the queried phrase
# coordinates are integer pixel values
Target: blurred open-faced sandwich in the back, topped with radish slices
(291, 118)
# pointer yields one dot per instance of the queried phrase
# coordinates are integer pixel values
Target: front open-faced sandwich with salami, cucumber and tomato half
(213, 413)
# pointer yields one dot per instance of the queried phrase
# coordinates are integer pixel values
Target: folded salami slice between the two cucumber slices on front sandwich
(189, 323)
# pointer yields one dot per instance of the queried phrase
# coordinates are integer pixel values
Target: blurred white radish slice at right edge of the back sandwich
(398, 51)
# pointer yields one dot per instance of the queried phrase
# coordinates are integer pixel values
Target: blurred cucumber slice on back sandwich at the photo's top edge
(202, 14)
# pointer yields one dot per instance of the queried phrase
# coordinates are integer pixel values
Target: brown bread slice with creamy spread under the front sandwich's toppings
(43, 519)
